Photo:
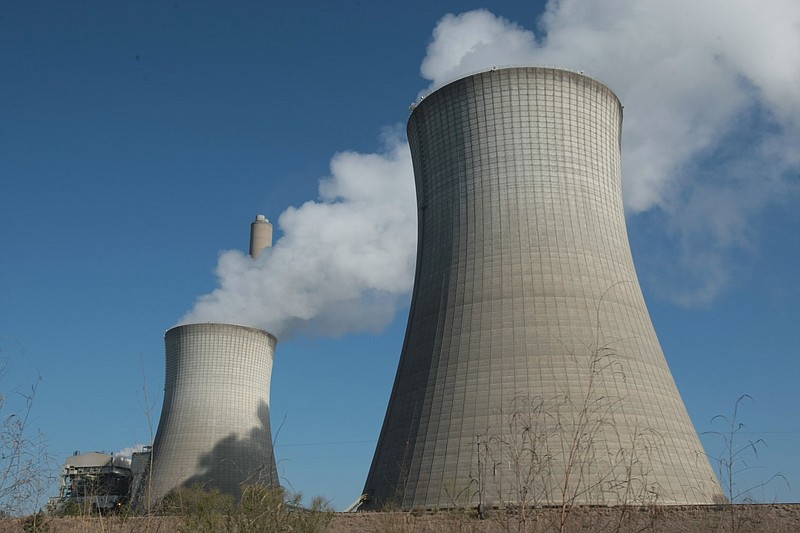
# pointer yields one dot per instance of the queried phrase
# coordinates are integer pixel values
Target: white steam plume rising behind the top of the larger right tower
(711, 92)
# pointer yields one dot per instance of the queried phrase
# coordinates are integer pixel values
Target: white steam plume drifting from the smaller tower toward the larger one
(344, 262)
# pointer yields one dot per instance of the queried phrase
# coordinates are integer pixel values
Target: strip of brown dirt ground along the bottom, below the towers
(764, 518)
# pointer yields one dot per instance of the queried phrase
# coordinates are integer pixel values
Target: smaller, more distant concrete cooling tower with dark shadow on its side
(214, 428)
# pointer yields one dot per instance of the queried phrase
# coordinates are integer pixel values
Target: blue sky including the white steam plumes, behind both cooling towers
(138, 141)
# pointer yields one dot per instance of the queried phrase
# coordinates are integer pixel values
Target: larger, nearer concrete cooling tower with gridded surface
(530, 371)
